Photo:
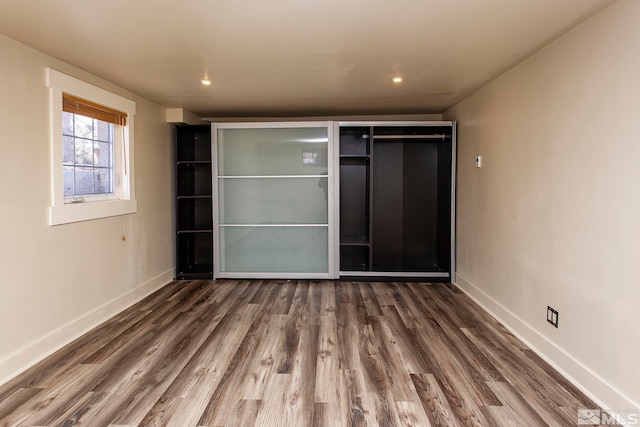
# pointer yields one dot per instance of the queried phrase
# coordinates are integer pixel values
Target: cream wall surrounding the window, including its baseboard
(57, 282)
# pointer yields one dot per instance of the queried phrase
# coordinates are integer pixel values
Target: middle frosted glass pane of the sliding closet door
(273, 200)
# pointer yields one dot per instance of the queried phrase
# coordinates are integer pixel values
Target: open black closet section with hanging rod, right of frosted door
(397, 199)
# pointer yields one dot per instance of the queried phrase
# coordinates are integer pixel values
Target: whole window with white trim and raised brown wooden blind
(91, 151)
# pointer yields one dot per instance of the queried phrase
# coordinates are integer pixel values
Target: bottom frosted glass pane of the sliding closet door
(274, 249)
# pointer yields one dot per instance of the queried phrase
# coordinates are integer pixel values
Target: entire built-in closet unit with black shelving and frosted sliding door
(316, 200)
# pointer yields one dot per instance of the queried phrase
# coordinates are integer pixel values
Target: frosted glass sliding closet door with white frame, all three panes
(273, 200)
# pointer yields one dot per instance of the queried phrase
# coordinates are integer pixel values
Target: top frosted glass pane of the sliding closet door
(272, 151)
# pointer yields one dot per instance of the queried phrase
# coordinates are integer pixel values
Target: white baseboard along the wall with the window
(34, 352)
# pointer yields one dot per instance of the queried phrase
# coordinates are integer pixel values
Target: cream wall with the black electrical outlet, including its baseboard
(553, 216)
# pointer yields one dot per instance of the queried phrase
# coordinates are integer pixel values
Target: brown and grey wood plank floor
(295, 353)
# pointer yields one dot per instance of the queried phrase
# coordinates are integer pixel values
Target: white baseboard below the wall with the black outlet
(599, 390)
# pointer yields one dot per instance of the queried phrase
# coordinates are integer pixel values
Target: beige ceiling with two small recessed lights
(294, 57)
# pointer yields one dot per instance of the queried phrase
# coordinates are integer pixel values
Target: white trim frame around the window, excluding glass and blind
(125, 200)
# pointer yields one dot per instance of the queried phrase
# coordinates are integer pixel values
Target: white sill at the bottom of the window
(76, 212)
